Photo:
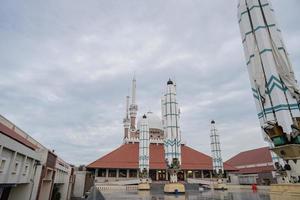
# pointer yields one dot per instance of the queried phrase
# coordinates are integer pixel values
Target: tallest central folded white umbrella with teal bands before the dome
(172, 140)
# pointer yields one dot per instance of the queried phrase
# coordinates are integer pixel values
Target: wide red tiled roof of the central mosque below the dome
(126, 156)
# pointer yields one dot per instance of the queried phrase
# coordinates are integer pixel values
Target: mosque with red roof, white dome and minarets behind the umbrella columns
(123, 162)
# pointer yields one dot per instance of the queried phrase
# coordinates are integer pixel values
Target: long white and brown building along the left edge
(29, 170)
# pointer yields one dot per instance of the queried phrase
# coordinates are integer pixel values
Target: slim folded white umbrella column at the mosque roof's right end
(216, 150)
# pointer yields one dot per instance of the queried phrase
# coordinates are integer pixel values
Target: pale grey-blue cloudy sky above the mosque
(66, 67)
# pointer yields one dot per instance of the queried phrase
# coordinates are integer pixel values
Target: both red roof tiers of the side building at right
(252, 158)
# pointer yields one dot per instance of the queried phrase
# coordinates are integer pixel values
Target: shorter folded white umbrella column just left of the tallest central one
(144, 147)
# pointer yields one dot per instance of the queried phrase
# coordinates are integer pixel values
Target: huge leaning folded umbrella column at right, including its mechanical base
(273, 84)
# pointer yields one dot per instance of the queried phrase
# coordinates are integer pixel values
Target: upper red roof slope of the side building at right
(255, 156)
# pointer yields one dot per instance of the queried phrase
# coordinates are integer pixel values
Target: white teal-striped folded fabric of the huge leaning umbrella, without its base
(271, 75)
